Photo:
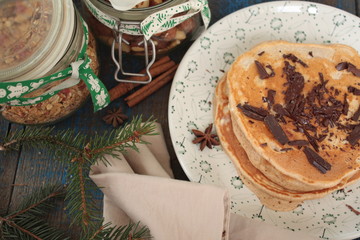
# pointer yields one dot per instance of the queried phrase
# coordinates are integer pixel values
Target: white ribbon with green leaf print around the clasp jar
(158, 22)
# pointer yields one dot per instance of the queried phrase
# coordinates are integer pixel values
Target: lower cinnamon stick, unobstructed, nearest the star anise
(152, 87)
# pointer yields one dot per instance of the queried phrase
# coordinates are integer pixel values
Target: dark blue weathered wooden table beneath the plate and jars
(22, 172)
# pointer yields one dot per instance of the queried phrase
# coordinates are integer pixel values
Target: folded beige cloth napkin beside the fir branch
(138, 188)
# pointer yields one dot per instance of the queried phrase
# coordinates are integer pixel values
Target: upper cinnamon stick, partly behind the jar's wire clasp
(122, 88)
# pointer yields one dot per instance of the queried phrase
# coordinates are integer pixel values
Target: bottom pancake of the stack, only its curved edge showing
(268, 192)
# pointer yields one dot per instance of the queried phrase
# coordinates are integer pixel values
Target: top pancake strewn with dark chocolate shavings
(284, 164)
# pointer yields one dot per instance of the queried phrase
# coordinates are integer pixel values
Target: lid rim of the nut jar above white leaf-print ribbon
(135, 14)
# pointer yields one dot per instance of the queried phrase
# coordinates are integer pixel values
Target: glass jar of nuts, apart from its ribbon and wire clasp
(134, 44)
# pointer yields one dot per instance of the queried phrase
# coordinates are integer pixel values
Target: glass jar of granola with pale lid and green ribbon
(41, 38)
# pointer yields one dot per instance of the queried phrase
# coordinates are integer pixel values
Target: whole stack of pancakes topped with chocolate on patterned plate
(288, 116)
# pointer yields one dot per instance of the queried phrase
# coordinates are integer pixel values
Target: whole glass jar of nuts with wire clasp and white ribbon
(128, 31)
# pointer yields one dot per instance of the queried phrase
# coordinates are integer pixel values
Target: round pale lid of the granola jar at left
(30, 31)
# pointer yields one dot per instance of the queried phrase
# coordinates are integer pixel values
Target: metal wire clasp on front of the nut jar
(118, 39)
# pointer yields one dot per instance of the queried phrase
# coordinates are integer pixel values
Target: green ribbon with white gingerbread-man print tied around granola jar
(11, 93)
